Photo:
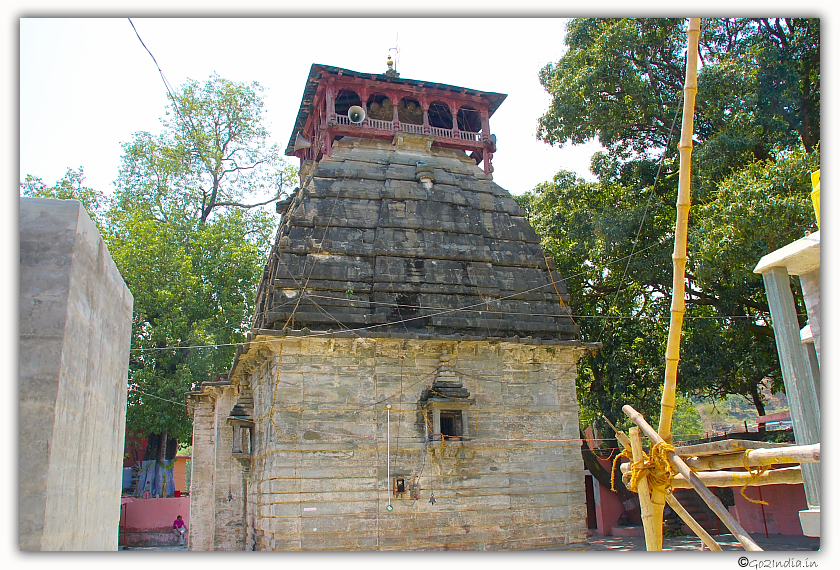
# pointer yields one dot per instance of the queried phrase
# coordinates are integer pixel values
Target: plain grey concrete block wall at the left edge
(75, 334)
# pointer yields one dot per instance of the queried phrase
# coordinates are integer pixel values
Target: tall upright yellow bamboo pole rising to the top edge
(672, 352)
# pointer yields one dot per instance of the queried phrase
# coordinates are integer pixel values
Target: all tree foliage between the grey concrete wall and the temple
(186, 229)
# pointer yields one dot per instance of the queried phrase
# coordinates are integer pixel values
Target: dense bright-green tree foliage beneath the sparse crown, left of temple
(193, 288)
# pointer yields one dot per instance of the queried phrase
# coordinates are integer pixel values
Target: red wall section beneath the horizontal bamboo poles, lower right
(781, 515)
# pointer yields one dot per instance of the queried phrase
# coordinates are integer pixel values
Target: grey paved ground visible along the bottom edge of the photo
(776, 542)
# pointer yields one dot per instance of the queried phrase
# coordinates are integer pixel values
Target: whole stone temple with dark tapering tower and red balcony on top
(409, 379)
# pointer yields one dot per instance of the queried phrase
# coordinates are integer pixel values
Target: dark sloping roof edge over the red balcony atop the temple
(317, 70)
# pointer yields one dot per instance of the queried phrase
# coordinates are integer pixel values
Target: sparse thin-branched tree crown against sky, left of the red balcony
(213, 154)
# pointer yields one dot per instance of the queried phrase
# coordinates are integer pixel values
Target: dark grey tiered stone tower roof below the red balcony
(405, 239)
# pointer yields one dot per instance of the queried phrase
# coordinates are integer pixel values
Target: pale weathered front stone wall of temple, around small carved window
(319, 477)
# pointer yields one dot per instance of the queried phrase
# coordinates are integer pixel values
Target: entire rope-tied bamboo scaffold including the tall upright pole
(654, 474)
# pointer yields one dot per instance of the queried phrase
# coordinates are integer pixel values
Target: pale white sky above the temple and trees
(88, 84)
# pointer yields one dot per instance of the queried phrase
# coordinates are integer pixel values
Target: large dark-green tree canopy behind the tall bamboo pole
(756, 141)
